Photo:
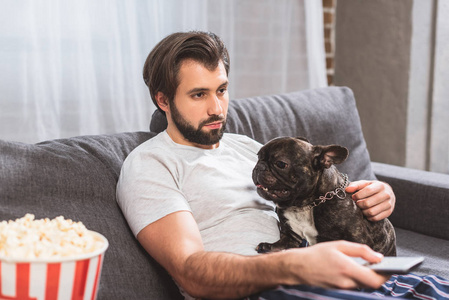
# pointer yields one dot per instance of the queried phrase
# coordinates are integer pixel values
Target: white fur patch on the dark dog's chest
(302, 223)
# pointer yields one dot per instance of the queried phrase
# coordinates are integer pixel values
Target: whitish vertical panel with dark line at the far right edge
(428, 107)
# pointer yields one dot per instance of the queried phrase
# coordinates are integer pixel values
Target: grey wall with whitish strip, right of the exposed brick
(395, 57)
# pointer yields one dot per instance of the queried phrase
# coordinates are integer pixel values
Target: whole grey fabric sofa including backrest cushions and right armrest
(76, 177)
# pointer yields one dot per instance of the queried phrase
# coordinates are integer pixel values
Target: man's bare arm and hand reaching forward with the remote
(175, 242)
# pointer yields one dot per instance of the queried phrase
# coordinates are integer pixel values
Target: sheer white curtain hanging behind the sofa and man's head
(74, 67)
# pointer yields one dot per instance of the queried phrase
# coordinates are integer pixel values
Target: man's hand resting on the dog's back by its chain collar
(376, 199)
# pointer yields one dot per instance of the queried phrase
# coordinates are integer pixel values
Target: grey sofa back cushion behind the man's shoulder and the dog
(324, 116)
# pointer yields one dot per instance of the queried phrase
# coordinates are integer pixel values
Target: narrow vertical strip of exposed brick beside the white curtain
(329, 37)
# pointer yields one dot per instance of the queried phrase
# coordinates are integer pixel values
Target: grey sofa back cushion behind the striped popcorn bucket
(76, 178)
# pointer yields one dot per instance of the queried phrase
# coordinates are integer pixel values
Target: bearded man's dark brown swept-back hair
(161, 68)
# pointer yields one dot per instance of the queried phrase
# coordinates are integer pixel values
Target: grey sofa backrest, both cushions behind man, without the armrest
(76, 177)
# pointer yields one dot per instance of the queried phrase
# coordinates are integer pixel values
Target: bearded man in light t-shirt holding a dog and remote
(188, 195)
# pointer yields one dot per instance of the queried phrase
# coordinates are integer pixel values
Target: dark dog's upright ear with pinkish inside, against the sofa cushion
(326, 156)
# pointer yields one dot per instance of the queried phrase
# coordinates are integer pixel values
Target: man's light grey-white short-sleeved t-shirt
(160, 177)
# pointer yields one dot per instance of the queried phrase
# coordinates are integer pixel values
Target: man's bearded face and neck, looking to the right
(199, 109)
